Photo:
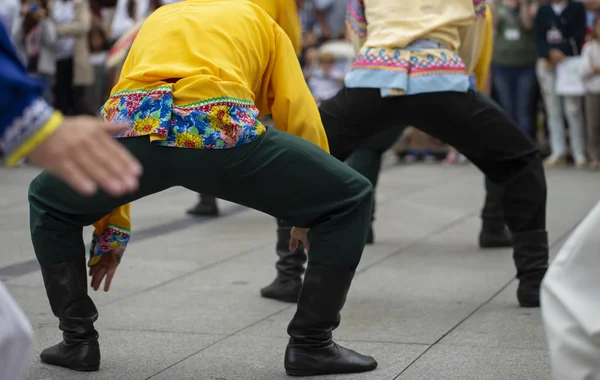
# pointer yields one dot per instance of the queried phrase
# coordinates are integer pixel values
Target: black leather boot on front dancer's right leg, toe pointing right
(311, 350)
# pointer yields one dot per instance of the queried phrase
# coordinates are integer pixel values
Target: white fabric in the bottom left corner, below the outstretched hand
(16, 336)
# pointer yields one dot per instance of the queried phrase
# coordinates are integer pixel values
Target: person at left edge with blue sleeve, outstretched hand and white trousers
(75, 149)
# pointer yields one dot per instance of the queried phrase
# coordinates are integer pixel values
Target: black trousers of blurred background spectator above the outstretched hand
(68, 98)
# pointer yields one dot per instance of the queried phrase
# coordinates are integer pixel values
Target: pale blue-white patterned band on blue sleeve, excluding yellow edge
(24, 127)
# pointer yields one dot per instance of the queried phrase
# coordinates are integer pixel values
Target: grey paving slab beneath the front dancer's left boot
(126, 355)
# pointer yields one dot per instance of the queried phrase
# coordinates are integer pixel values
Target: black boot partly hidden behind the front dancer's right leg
(290, 267)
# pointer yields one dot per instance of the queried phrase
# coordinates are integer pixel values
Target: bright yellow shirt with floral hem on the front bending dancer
(244, 57)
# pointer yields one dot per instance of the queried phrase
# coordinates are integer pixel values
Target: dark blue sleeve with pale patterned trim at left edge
(22, 109)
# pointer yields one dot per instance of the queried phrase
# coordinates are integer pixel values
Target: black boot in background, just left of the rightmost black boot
(494, 233)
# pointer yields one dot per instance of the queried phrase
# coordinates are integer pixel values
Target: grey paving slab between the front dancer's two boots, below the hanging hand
(209, 301)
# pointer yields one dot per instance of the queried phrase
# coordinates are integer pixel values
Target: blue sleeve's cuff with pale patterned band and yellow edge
(26, 132)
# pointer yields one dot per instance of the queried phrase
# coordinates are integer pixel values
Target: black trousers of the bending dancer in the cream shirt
(475, 127)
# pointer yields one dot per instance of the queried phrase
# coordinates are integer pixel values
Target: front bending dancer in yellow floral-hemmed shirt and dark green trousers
(197, 112)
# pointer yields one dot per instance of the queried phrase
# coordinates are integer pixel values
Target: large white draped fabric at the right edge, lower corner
(570, 299)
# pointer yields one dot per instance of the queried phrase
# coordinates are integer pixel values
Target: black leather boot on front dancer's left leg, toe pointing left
(66, 287)
